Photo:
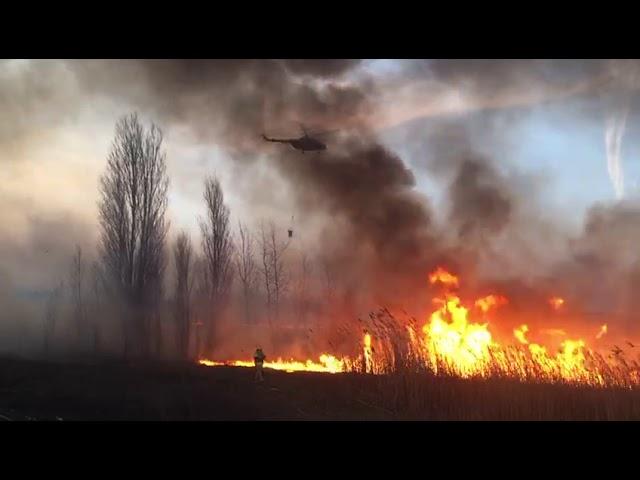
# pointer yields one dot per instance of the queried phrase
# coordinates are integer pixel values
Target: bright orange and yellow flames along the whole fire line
(452, 343)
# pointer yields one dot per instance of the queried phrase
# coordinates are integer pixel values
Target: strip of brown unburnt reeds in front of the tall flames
(423, 396)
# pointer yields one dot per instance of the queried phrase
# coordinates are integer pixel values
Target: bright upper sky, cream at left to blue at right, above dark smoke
(543, 120)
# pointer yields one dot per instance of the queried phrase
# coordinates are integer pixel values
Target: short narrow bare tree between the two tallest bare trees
(183, 257)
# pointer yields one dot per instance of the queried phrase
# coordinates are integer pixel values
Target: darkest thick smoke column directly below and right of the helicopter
(381, 228)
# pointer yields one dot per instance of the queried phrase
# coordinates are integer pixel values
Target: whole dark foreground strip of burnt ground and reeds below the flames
(108, 390)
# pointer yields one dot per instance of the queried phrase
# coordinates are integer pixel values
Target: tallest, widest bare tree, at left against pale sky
(132, 206)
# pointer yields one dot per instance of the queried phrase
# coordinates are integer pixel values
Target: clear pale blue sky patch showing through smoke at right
(556, 138)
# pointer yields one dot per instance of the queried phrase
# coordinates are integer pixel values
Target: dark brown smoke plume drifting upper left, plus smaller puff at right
(376, 226)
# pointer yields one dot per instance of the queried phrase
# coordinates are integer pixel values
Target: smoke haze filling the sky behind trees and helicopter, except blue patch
(359, 205)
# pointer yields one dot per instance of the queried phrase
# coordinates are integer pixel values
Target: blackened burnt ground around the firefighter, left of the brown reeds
(110, 390)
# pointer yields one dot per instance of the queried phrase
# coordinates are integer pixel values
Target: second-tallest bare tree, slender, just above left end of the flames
(217, 247)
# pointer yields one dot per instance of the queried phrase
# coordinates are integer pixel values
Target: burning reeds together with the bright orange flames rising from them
(452, 343)
